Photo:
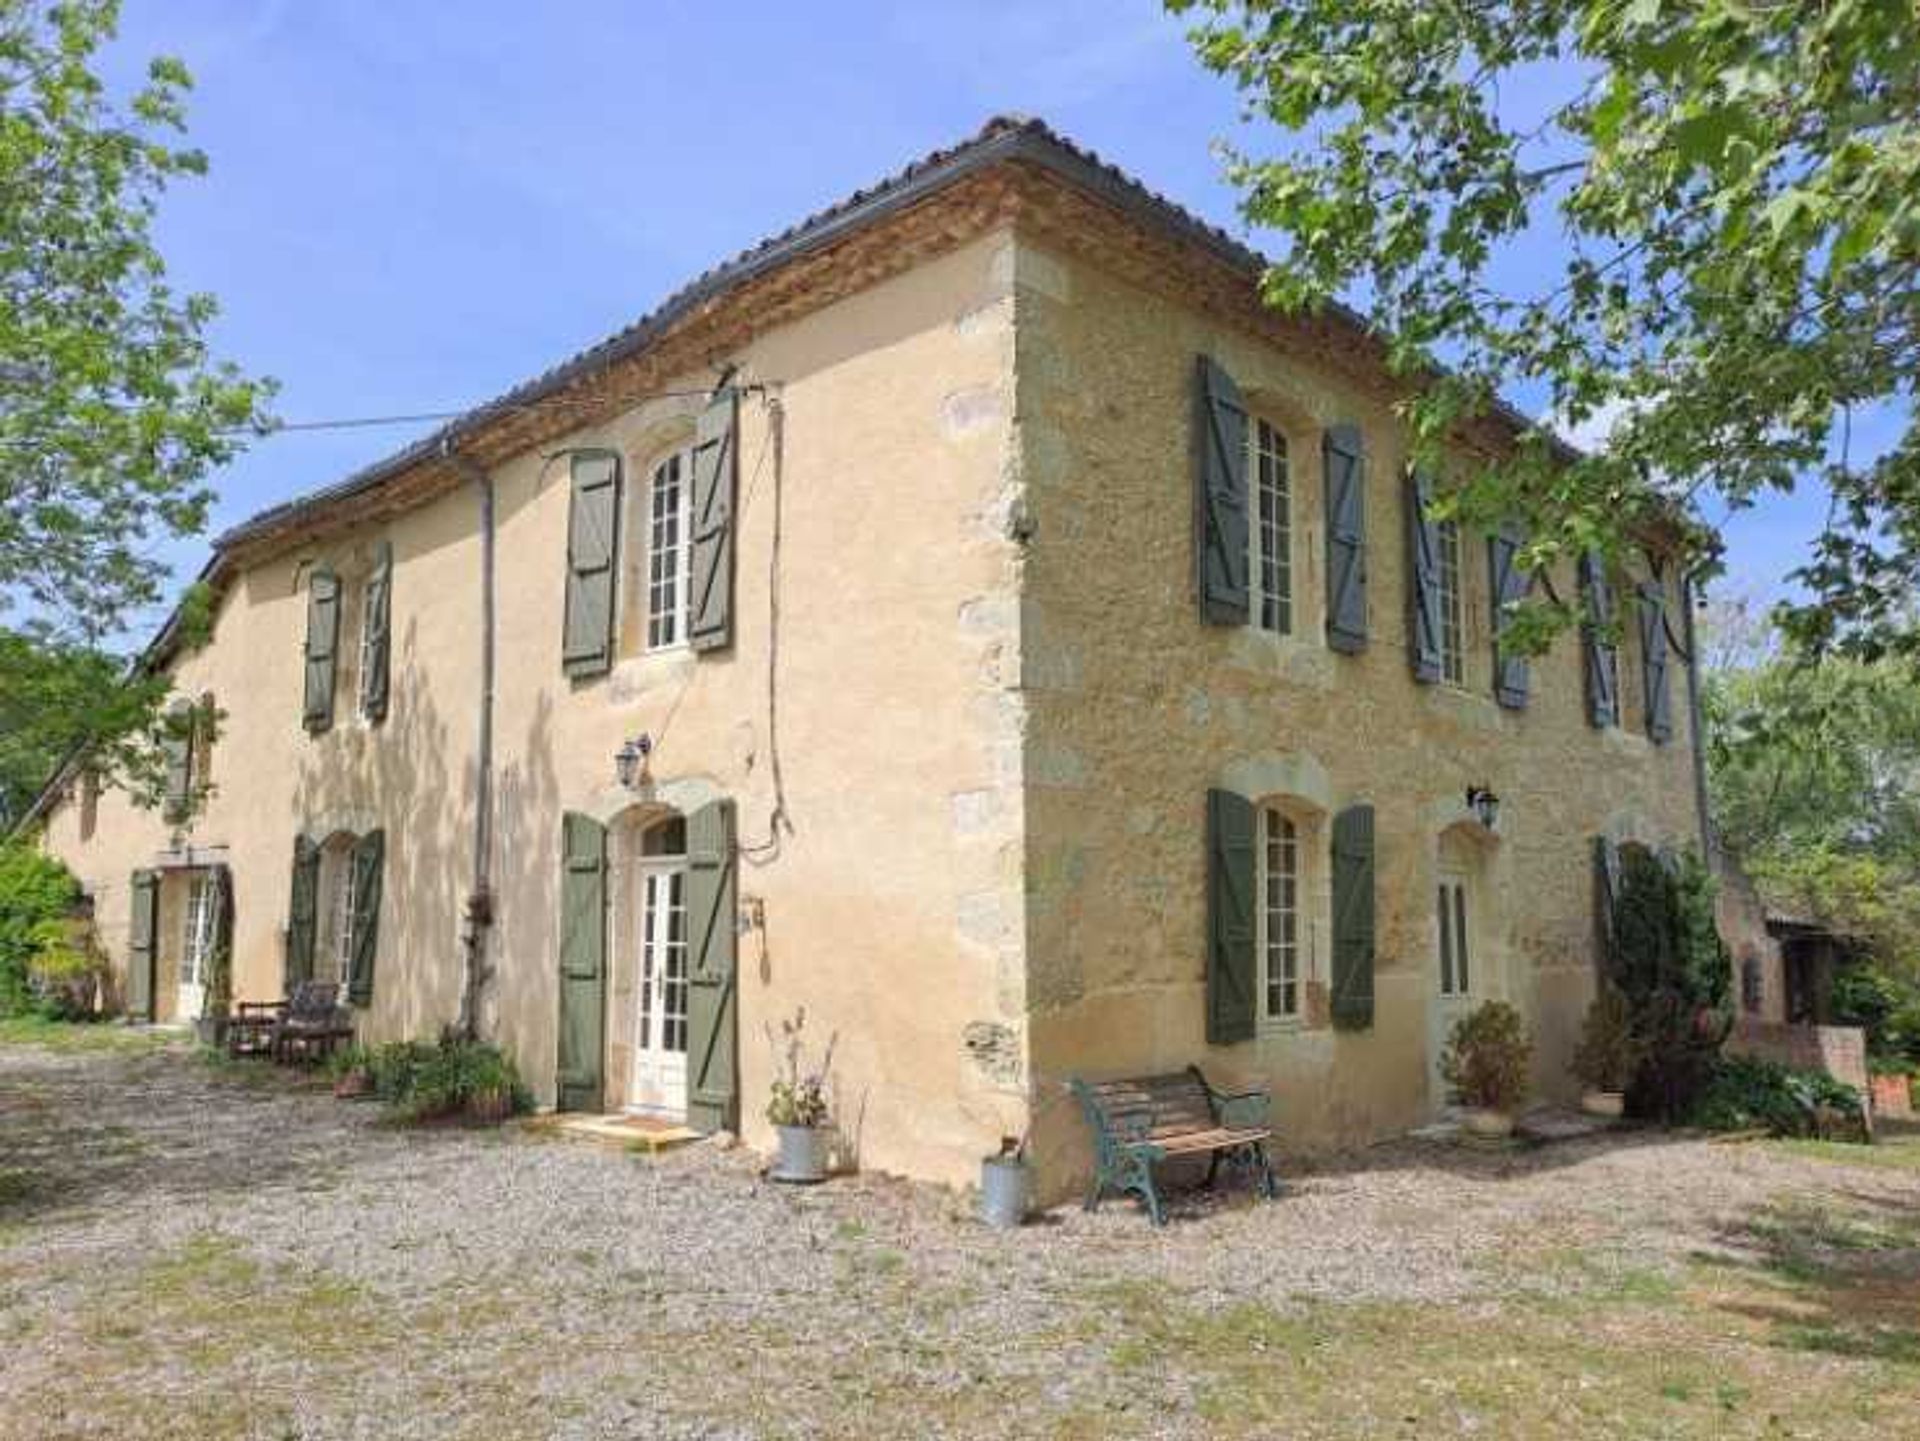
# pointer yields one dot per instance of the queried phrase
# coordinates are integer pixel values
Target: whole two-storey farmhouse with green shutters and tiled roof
(971, 617)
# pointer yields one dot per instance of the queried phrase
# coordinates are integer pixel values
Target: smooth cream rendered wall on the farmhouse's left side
(890, 909)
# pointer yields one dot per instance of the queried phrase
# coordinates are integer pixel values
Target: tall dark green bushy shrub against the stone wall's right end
(1671, 966)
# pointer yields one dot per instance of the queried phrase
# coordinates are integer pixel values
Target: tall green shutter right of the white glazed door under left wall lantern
(713, 1026)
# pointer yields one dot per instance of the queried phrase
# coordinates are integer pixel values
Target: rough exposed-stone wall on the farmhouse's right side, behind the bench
(1138, 709)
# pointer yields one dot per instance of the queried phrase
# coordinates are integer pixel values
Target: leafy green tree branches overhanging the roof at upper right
(1733, 195)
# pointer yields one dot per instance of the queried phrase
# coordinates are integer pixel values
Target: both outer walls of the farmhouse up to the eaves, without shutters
(967, 673)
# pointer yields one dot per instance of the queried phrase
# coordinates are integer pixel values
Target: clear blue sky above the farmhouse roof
(416, 206)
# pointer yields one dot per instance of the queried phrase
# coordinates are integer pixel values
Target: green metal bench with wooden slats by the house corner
(1140, 1122)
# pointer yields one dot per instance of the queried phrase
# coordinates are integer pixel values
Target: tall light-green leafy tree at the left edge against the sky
(112, 408)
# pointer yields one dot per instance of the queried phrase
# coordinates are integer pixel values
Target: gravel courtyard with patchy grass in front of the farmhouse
(212, 1252)
